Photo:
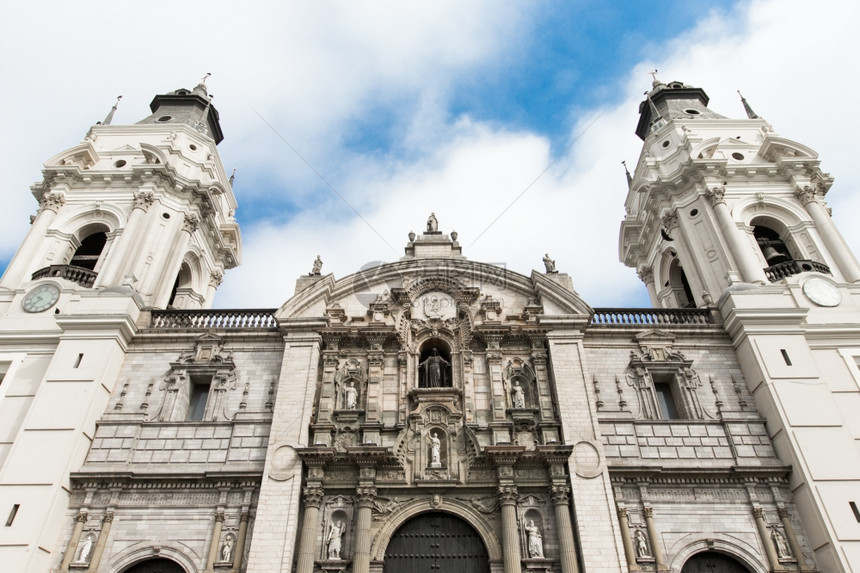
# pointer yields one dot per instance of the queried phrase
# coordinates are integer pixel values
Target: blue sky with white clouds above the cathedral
(407, 108)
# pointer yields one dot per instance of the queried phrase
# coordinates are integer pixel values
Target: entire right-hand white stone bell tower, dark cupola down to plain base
(727, 214)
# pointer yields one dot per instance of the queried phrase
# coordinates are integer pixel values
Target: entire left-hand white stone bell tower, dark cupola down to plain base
(135, 217)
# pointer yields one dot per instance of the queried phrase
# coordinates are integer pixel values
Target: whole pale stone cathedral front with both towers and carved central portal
(435, 413)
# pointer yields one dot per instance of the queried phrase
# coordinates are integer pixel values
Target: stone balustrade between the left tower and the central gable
(239, 319)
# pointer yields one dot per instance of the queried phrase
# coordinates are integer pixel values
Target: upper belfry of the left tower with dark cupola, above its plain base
(146, 207)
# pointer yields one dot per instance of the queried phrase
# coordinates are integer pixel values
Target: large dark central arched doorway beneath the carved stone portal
(436, 543)
